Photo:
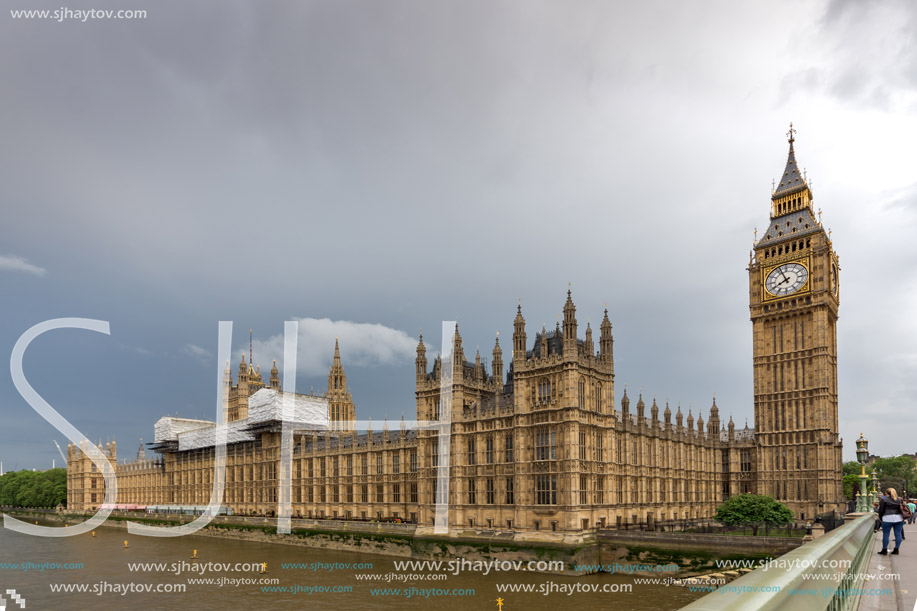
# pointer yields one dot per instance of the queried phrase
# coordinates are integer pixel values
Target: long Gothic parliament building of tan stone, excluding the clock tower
(540, 447)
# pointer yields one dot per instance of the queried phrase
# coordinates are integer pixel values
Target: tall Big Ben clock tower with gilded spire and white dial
(794, 295)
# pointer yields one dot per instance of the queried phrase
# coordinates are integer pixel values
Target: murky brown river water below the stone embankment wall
(105, 571)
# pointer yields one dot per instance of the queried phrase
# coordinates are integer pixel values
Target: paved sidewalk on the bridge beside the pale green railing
(904, 597)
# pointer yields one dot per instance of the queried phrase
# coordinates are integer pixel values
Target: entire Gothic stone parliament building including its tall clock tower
(544, 445)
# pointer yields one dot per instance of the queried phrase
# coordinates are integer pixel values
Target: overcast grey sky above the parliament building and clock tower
(374, 168)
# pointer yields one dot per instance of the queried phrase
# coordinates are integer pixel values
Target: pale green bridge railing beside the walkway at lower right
(824, 574)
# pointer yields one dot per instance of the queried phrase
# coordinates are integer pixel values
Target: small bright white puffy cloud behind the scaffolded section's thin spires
(362, 344)
